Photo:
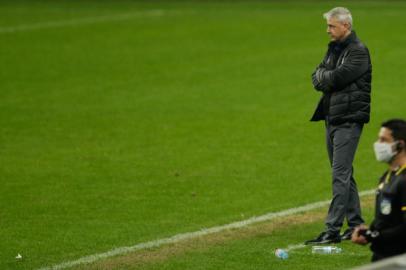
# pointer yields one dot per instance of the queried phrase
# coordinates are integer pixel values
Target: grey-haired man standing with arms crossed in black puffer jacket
(344, 79)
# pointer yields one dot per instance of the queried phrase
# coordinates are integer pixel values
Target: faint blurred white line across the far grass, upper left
(80, 21)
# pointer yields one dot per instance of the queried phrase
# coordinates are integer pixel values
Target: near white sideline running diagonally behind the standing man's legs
(190, 235)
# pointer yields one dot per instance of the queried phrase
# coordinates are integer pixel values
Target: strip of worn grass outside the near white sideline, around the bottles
(248, 248)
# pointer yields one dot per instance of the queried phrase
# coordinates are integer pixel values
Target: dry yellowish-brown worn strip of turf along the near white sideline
(138, 259)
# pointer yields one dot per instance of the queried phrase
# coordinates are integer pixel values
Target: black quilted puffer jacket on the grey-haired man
(344, 76)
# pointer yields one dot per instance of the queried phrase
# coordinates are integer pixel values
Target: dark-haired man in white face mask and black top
(387, 232)
